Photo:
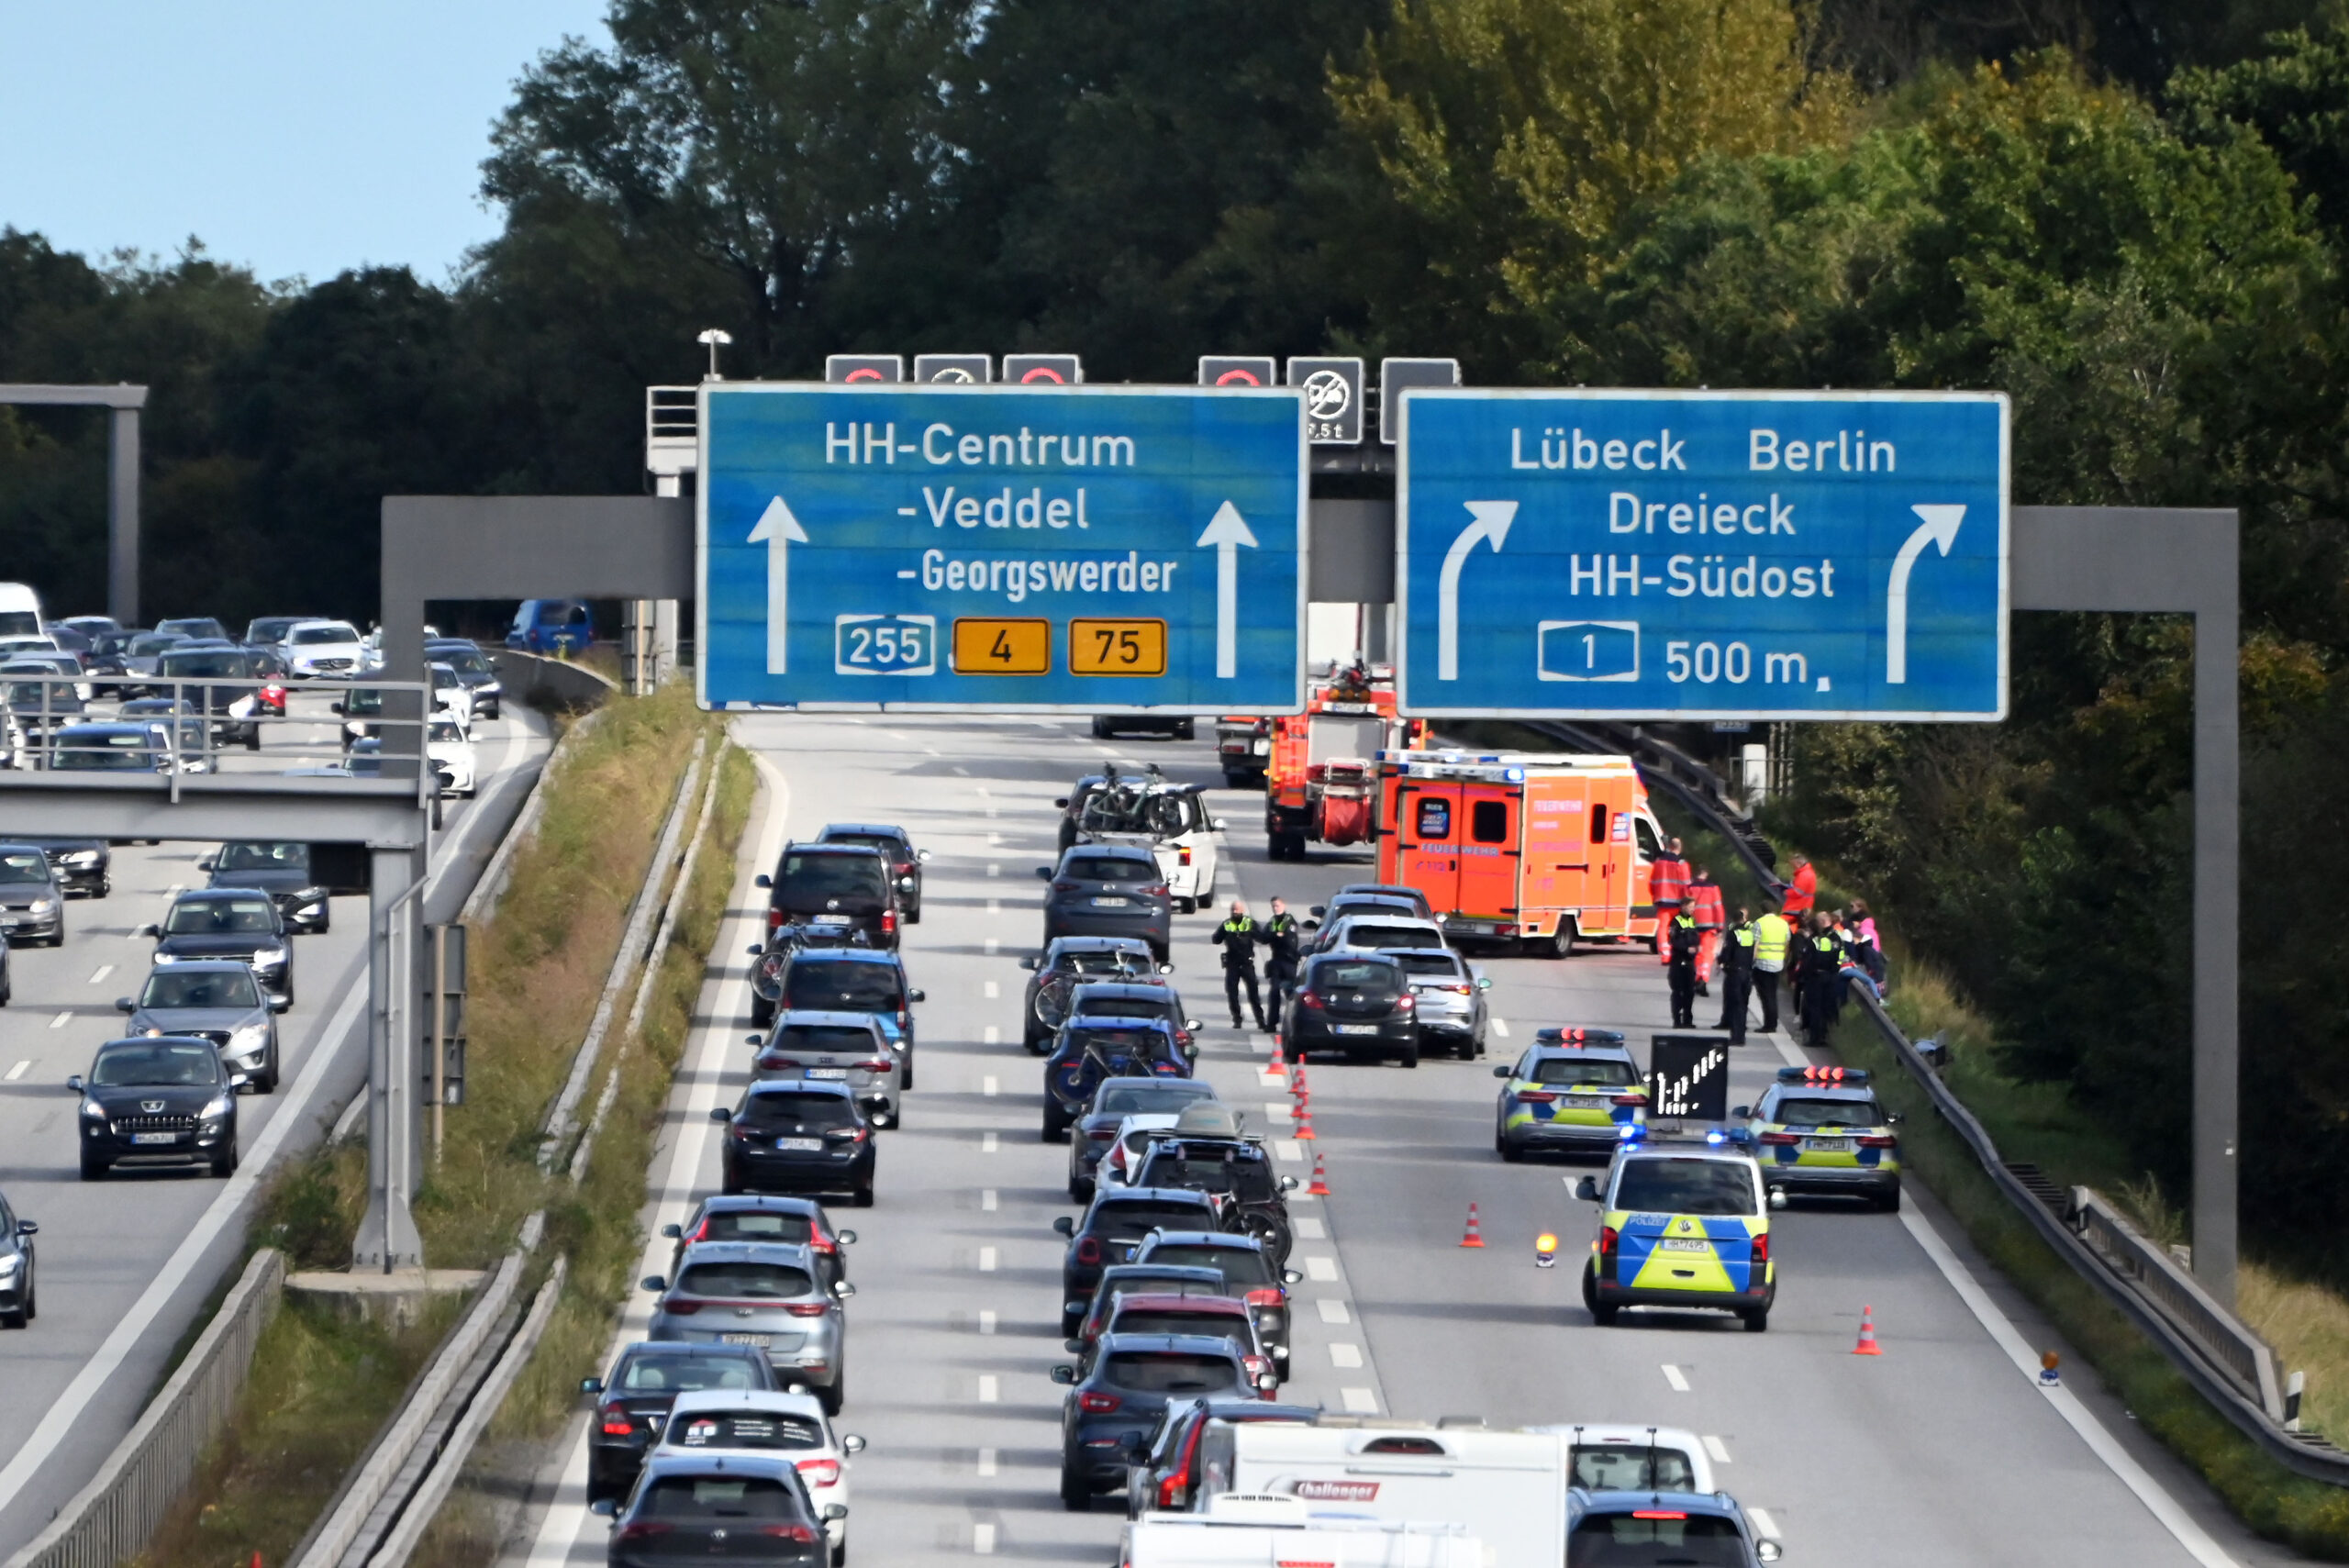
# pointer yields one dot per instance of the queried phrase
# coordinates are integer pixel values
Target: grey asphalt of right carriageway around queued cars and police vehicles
(1941, 1452)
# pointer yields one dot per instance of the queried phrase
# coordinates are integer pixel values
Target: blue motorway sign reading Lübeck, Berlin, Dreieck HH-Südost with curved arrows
(1702, 555)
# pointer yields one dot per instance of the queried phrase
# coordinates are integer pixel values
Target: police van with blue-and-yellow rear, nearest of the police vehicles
(1683, 1226)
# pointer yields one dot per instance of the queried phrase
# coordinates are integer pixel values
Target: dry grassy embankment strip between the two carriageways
(323, 1388)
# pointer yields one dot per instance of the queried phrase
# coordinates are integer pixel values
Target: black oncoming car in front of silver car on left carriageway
(159, 1100)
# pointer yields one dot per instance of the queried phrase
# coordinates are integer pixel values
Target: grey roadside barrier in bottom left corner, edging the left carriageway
(126, 1503)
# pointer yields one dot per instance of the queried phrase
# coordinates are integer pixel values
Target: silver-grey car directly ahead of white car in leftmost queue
(765, 1295)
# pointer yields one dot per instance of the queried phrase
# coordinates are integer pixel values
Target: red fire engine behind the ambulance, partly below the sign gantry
(1321, 780)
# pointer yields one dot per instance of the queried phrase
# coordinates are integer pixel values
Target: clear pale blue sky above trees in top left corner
(295, 137)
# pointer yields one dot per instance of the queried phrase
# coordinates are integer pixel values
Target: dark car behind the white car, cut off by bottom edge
(746, 1510)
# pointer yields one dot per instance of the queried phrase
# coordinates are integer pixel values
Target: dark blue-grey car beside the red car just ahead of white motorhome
(1110, 1414)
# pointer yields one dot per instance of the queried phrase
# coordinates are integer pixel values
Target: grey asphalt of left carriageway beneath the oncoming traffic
(128, 1264)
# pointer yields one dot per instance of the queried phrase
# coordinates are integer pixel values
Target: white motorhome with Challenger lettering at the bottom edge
(1509, 1489)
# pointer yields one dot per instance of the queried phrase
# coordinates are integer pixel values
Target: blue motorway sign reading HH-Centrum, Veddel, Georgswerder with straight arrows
(1004, 548)
